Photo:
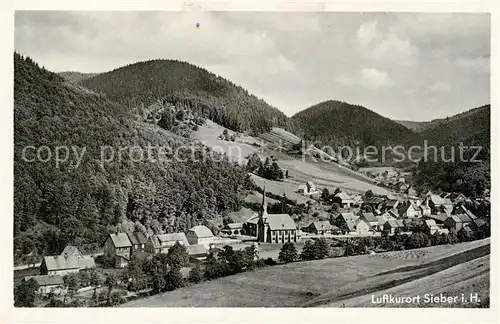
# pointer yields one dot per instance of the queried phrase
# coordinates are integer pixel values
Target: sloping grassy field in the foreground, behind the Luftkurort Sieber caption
(347, 281)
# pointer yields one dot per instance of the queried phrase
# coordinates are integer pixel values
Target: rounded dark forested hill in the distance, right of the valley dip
(338, 123)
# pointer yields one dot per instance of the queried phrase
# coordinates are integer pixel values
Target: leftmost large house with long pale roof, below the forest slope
(62, 265)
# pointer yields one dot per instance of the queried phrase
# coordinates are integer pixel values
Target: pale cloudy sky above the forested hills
(401, 65)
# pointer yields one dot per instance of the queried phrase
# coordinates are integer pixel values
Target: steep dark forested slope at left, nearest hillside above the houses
(80, 203)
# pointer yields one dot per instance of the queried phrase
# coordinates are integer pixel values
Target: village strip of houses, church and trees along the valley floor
(337, 224)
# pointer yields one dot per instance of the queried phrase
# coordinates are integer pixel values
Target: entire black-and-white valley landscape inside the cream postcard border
(170, 181)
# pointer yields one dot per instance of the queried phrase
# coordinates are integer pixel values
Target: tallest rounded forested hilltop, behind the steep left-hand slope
(144, 83)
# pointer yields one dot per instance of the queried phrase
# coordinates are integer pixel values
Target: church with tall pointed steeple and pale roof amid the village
(275, 228)
